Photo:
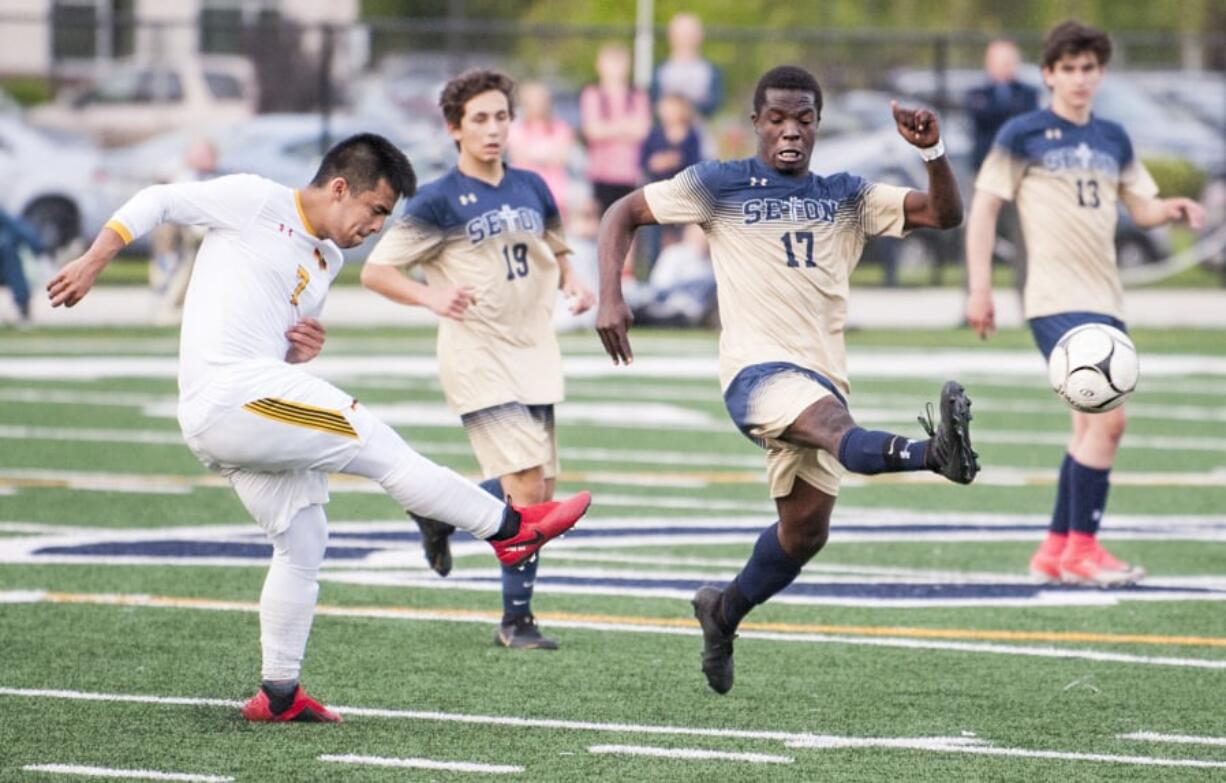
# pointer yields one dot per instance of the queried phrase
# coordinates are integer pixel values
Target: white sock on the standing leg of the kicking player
(287, 603)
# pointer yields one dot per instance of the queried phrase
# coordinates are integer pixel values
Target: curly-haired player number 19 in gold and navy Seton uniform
(490, 241)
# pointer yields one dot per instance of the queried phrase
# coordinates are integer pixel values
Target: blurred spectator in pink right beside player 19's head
(541, 143)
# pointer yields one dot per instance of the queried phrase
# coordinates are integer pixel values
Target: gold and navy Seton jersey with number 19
(503, 242)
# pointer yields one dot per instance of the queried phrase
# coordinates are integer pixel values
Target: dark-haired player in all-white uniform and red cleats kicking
(246, 409)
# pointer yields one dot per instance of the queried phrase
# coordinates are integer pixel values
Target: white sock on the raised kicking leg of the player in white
(425, 488)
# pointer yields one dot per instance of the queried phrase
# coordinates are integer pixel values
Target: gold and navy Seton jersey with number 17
(784, 249)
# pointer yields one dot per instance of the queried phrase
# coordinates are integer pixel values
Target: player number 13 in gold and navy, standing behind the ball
(1068, 171)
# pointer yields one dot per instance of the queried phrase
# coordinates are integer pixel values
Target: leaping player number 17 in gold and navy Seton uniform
(784, 243)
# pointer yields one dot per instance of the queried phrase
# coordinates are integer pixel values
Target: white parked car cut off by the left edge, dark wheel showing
(51, 184)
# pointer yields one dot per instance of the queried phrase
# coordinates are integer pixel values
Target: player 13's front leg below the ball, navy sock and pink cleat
(1092, 454)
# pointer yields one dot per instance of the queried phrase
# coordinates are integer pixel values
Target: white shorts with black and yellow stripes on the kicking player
(279, 447)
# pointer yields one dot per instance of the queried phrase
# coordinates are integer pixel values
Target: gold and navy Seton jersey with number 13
(1068, 182)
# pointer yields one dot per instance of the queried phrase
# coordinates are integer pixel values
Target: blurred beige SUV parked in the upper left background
(138, 101)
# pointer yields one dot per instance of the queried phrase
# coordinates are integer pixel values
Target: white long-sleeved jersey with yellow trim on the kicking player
(259, 271)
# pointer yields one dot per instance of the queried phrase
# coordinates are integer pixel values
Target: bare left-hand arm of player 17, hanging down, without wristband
(614, 318)
